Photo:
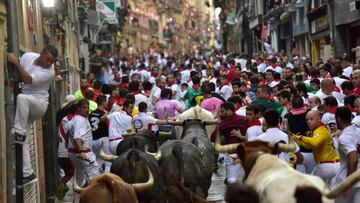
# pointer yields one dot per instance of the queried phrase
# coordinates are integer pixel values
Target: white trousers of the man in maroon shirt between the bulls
(234, 172)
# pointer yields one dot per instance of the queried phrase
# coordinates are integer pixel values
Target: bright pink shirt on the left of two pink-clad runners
(167, 106)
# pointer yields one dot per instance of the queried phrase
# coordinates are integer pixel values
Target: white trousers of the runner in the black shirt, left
(97, 145)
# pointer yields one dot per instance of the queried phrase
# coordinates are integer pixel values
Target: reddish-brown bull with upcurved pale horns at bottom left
(110, 188)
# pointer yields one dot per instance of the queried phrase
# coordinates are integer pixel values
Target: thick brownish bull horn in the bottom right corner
(345, 185)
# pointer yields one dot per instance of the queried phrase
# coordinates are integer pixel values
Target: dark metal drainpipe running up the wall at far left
(11, 87)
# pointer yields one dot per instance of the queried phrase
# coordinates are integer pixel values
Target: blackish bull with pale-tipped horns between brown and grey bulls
(132, 166)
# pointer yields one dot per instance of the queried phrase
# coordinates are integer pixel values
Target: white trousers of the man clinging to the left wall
(28, 109)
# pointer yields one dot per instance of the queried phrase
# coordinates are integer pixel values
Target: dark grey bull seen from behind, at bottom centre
(183, 172)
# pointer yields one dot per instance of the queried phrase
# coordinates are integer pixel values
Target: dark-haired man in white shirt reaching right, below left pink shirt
(145, 121)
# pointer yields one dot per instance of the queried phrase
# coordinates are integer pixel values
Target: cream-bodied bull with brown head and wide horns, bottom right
(275, 181)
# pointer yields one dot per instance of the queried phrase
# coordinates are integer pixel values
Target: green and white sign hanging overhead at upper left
(107, 10)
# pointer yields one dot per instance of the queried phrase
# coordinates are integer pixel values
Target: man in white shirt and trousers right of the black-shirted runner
(120, 123)
